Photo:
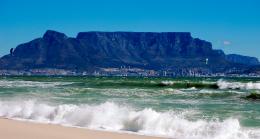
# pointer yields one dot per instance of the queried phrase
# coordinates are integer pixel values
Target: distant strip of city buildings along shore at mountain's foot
(128, 71)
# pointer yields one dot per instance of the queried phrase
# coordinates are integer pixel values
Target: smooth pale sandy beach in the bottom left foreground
(11, 129)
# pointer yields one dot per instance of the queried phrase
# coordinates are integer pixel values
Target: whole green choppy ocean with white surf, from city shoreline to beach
(179, 108)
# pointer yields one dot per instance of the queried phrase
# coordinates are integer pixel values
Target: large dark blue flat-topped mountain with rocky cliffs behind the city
(90, 50)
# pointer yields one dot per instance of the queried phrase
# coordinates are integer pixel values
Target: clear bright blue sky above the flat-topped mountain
(231, 25)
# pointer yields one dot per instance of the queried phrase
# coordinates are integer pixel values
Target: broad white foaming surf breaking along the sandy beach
(113, 117)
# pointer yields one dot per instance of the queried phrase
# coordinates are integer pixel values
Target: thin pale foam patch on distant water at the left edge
(11, 84)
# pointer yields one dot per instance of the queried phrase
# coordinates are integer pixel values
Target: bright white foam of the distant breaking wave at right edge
(237, 85)
